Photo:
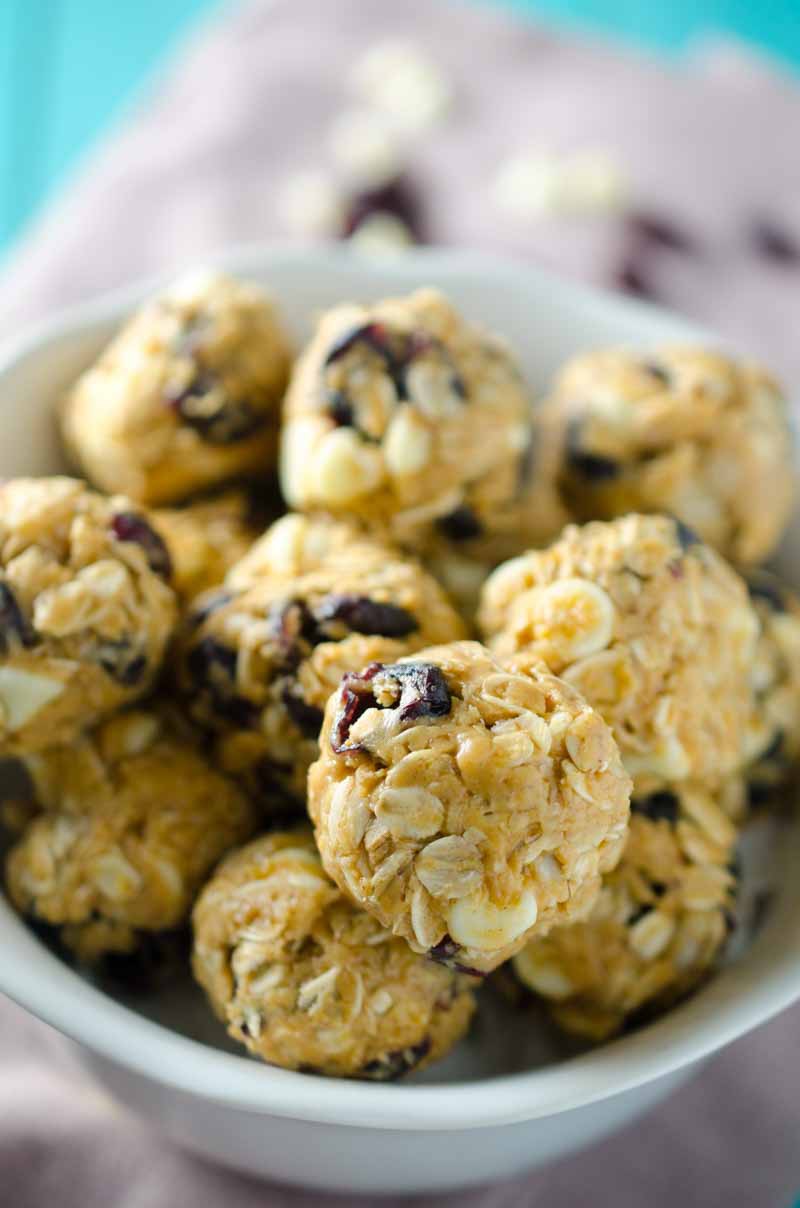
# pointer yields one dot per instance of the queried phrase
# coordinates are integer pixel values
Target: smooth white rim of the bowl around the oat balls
(740, 998)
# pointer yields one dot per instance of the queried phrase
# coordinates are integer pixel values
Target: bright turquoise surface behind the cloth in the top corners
(69, 67)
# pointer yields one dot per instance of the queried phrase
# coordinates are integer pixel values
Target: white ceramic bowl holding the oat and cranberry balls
(512, 1097)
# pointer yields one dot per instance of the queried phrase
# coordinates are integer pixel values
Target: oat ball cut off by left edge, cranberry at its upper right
(85, 609)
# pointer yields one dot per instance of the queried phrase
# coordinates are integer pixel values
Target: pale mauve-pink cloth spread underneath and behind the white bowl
(714, 229)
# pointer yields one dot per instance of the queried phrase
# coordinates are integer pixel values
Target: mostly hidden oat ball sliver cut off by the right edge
(774, 735)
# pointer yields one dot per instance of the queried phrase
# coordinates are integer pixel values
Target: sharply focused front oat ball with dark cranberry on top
(466, 806)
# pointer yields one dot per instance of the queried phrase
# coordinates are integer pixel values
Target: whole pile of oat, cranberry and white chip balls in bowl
(294, 740)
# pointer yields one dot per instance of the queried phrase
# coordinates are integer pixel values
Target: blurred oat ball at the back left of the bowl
(185, 397)
